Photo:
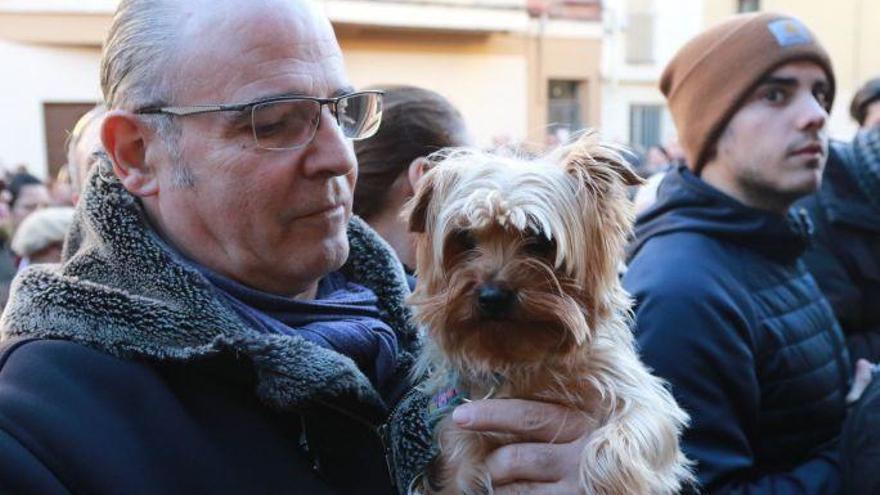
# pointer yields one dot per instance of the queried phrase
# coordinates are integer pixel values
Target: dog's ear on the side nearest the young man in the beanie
(588, 156)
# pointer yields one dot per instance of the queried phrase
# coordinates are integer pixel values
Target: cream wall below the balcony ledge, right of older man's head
(498, 81)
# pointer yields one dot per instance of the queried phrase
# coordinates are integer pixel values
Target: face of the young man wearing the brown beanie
(774, 148)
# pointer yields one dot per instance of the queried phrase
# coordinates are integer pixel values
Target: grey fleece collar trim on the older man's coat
(121, 290)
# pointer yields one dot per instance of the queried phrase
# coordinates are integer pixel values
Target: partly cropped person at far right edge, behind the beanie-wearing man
(844, 256)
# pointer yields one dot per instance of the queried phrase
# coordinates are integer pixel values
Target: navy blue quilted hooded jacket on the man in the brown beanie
(728, 314)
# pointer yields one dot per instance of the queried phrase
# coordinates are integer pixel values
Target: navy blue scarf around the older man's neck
(343, 316)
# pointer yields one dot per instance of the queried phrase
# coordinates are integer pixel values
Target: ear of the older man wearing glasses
(124, 137)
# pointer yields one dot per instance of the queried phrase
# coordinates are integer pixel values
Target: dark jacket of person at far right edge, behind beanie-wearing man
(845, 255)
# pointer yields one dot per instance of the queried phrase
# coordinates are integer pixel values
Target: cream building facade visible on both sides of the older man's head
(519, 70)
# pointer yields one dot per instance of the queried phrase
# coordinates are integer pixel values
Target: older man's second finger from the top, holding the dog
(527, 461)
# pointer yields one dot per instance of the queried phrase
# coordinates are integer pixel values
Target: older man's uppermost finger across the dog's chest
(530, 420)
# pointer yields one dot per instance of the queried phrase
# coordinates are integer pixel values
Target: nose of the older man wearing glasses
(330, 153)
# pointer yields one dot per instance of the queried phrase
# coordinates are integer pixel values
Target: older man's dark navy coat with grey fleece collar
(122, 372)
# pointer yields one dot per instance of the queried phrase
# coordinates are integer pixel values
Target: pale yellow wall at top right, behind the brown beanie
(846, 28)
